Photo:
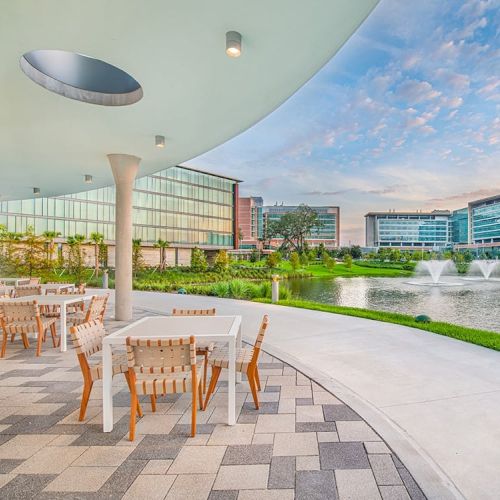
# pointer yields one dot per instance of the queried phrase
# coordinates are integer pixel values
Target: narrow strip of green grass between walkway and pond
(483, 338)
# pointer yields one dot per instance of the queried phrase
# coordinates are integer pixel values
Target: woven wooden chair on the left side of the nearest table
(87, 341)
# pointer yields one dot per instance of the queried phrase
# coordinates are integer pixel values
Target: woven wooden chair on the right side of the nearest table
(246, 362)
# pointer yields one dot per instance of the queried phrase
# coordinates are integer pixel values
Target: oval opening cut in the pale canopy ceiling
(81, 77)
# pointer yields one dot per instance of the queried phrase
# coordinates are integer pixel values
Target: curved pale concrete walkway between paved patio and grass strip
(436, 401)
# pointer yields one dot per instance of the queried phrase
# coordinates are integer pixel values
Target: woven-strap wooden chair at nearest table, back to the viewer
(163, 366)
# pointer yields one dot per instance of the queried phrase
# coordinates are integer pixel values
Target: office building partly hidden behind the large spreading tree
(327, 233)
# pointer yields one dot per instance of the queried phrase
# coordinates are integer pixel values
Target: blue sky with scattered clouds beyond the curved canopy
(405, 116)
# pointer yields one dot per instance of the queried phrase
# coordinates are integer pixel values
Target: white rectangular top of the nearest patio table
(215, 327)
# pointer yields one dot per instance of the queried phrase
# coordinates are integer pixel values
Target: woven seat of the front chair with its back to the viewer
(166, 383)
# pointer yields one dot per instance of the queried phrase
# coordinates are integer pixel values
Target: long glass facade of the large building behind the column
(181, 205)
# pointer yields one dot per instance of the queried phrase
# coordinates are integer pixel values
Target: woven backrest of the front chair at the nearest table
(161, 355)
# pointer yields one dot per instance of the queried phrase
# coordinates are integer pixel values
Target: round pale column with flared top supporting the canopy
(124, 169)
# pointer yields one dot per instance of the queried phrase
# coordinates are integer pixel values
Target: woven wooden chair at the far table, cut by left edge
(24, 318)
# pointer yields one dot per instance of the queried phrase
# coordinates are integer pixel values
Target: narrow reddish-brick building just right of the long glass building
(251, 222)
